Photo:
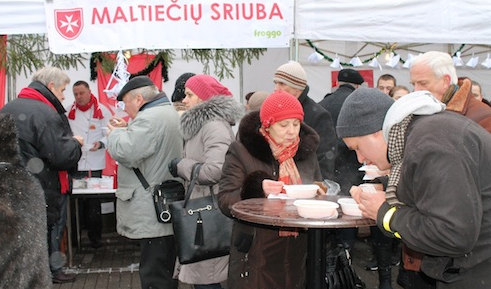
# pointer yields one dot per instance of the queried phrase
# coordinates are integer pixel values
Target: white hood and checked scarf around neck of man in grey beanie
(396, 121)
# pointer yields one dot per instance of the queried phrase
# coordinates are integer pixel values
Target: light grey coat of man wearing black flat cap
(149, 143)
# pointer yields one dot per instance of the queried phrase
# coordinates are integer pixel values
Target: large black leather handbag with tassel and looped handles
(201, 230)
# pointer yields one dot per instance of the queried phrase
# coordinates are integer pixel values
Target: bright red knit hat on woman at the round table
(278, 106)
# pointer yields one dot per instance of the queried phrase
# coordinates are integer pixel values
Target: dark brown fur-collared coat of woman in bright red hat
(272, 262)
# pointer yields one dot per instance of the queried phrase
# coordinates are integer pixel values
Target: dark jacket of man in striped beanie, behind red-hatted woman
(321, 121)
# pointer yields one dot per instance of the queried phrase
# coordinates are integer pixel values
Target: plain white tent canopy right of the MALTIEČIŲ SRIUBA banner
(423, 21)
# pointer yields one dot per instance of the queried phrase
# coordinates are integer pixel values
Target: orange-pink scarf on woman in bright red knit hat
(288, 173)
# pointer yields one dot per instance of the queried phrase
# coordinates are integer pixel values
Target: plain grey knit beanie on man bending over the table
(363, 112)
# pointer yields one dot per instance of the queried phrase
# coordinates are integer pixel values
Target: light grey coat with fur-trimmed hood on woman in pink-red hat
(207, 133)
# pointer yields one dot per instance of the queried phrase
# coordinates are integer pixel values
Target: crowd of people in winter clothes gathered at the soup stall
(432, 210)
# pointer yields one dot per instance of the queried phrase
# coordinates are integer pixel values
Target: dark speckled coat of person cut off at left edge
(23, 231)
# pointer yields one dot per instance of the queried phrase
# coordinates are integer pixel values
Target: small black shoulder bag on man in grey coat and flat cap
(163, 194)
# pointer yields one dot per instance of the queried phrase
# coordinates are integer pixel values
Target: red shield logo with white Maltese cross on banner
(69, 22)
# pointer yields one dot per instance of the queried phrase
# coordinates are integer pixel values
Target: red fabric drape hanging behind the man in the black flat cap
(136, 63)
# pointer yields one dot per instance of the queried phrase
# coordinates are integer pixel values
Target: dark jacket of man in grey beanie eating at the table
(446, 188)
